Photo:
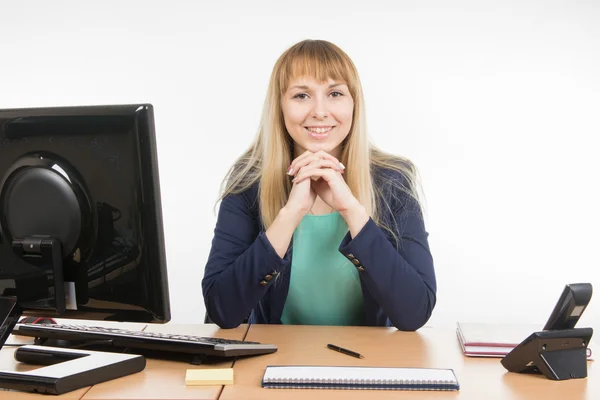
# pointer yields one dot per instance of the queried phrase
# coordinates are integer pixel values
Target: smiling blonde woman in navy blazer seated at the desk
(317, 226)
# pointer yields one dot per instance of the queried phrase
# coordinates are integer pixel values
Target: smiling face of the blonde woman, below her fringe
(317, 115)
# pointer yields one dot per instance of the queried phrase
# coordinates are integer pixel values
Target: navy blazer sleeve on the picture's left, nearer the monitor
(242, 263)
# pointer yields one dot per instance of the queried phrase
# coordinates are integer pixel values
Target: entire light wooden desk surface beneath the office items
(480, 378)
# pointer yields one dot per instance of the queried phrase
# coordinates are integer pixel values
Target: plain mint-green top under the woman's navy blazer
(324, 285)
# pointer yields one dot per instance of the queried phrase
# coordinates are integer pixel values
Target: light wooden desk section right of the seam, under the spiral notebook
(479, 378)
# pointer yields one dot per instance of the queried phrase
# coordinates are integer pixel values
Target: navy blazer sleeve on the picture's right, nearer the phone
(401, 279)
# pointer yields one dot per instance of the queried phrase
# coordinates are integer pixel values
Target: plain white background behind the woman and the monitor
(496, 102)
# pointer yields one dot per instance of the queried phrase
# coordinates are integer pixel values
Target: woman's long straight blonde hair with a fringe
(271, 152)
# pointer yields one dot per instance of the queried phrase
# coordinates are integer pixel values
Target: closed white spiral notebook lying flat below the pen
(321, 377)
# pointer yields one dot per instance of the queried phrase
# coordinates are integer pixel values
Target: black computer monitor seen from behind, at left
(81, 232)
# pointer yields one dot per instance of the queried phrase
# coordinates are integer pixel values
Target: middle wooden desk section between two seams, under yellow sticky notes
(166, 379)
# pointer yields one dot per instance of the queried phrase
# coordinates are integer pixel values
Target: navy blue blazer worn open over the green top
(245, 277)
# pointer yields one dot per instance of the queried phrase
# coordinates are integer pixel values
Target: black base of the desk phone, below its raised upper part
(558, 355)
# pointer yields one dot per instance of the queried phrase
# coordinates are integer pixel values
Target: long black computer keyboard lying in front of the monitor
(164, 342)
